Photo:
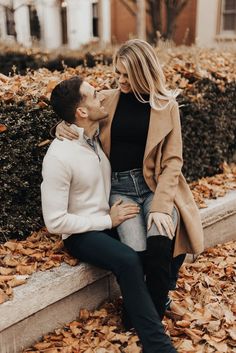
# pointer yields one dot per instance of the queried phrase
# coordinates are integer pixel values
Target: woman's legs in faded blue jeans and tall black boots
(155, 248)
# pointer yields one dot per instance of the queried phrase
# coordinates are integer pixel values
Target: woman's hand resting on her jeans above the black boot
(163, 222)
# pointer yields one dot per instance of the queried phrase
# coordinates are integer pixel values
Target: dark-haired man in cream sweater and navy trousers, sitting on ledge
(75, 202)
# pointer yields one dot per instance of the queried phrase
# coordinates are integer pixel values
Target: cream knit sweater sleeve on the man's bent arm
(55, 195)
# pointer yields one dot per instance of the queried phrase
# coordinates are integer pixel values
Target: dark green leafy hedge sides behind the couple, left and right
(209, 137)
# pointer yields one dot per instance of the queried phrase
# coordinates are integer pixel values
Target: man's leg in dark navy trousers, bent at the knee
(99, 249)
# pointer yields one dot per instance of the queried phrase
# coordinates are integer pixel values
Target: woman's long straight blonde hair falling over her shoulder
(144, 72)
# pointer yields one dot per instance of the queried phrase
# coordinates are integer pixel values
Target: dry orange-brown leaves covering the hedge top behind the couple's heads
(182, 67)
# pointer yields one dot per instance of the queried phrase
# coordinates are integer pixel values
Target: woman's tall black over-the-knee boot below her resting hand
(158, 270)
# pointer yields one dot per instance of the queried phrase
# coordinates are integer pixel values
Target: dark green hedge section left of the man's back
(21, 160)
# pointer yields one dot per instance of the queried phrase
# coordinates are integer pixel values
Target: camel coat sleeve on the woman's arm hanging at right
(171, 164)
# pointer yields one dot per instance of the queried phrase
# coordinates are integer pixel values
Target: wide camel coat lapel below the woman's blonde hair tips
(159, 126)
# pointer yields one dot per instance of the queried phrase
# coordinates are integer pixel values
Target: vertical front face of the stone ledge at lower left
(25, 332)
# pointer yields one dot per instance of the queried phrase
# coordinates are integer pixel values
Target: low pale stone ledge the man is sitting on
(53, 298)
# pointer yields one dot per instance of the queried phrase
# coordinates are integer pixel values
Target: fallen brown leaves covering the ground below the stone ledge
(202, 320)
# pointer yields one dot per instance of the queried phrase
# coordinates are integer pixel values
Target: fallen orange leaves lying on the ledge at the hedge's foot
(42, 251)
